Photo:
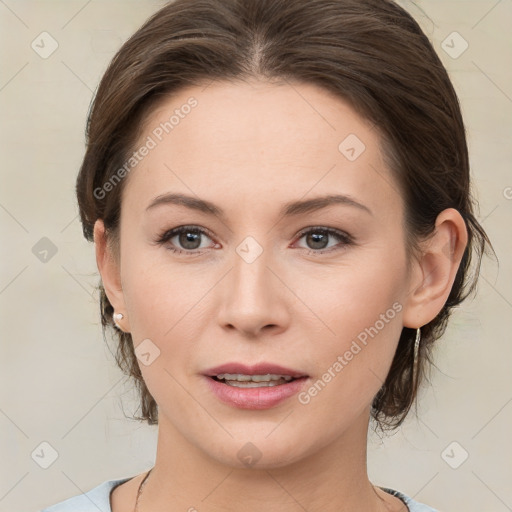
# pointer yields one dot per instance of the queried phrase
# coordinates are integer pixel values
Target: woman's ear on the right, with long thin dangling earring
(433, 275)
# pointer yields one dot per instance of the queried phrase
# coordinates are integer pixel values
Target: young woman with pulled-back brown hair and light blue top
(279, 196)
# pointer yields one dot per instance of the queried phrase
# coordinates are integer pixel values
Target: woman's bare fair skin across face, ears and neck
(249, 148)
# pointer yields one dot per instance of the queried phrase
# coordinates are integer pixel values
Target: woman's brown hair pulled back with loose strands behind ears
(371, 53)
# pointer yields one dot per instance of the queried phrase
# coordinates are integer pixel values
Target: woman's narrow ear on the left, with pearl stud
(109, 269)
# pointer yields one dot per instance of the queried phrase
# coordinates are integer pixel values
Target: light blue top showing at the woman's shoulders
(98, 500)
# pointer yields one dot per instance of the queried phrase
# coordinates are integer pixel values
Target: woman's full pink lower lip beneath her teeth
(255, 398)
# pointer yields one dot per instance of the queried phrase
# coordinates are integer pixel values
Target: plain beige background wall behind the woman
(59, 381)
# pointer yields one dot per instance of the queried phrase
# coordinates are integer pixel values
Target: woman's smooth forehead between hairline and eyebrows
(276, 141)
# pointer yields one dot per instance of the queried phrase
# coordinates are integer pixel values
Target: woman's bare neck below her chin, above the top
(331, 478)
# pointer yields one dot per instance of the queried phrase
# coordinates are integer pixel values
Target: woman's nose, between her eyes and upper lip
(255, 300)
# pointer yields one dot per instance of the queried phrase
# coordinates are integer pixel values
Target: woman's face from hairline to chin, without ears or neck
(276, 276)
